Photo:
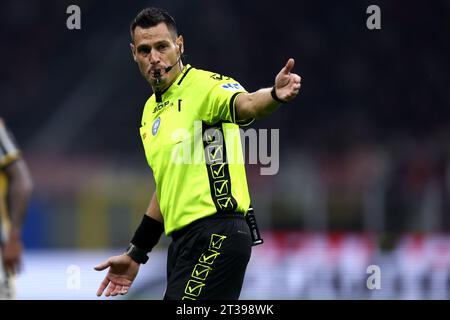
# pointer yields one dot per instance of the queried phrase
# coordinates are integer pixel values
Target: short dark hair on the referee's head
(150, 17)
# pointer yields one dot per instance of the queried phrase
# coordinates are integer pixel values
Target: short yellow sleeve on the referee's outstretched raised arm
(222, 101)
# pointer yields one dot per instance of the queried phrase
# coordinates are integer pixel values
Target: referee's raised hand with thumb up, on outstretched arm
(287, 84)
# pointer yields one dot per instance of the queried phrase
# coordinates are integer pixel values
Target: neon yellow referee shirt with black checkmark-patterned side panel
(193, 146)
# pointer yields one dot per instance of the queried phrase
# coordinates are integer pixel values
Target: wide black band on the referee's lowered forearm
(145, 238)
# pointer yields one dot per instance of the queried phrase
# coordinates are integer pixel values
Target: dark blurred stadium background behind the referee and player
(364, 150)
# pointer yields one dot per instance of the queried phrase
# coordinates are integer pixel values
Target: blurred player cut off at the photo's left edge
(15, 191)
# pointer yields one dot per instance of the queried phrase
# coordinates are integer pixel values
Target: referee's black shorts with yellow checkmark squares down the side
(208, 259)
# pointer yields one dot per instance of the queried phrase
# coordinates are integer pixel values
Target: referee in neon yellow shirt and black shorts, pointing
(190, 133)
